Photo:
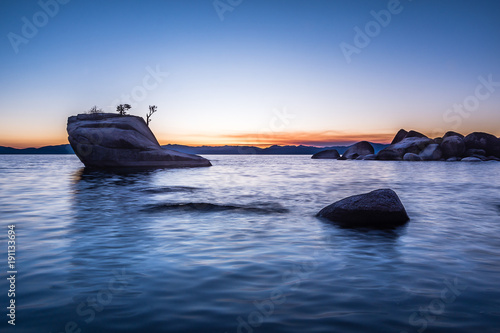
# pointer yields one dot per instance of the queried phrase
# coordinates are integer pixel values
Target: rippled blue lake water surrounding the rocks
(236, 247)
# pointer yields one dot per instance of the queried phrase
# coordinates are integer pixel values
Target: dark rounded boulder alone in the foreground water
(376, 209)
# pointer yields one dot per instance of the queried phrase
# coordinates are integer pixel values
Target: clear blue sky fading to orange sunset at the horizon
(251, 71)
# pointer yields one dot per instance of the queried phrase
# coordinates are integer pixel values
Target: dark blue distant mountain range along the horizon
(203, 150)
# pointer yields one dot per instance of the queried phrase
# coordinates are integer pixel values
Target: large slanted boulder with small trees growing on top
(108, 140)
